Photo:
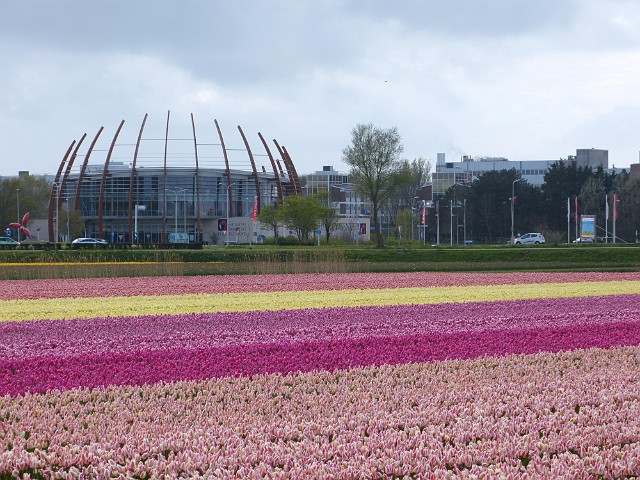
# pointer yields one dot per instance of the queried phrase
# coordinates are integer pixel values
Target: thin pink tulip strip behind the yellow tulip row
(107, 287)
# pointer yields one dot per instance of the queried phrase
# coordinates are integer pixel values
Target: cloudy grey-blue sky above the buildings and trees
(526, 80)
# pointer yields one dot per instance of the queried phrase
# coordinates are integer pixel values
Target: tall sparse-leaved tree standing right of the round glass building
(374, 160)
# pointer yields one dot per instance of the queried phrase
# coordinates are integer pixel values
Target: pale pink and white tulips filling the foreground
(547, 415)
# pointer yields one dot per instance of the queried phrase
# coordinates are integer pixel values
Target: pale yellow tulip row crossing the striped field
(67, 308)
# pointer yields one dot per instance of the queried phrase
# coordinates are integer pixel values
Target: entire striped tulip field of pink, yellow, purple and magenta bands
(343, 376)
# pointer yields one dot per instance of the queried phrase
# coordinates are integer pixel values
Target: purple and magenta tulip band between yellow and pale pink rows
(93, 353)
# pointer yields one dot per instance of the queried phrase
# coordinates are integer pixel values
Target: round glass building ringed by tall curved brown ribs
(170, 187)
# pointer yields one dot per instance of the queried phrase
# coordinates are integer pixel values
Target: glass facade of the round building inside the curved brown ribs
(166, 209)
